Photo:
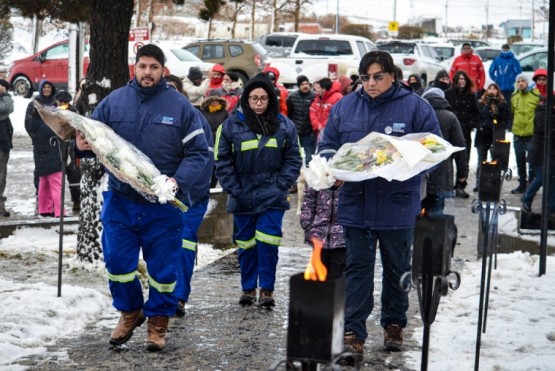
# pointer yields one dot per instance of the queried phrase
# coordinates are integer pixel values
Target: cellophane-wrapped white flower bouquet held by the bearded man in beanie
(125, 161)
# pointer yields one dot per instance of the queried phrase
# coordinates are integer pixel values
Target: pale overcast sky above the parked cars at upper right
(464, 13)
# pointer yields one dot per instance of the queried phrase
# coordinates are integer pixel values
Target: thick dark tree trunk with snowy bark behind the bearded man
(108, 70)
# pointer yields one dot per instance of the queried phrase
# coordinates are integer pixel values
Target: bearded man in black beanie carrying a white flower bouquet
(162, 124)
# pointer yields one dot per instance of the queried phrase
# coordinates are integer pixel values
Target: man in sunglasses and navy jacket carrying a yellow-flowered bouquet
(376, 210)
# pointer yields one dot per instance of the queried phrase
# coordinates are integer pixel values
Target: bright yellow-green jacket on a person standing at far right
(523, 106)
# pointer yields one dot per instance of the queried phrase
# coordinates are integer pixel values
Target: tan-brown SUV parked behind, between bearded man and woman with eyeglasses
(247, 58)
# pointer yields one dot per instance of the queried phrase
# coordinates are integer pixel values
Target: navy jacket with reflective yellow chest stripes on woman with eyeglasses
(256, 173)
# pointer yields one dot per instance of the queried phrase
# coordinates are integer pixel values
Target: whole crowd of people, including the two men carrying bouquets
(251, 138)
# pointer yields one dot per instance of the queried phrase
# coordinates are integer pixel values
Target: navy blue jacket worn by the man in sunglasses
(377, 203)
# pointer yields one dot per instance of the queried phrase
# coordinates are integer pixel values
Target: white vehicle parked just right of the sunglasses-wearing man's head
(414, 59)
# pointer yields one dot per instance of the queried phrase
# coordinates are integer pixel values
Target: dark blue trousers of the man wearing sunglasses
(396, 254)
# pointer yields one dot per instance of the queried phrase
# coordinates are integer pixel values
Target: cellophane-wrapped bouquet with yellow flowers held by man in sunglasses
(381, 155)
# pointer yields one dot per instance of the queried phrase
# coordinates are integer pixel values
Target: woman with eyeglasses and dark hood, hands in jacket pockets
(257, 162)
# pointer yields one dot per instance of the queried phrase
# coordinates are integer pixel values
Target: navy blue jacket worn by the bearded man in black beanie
(164, 125)
